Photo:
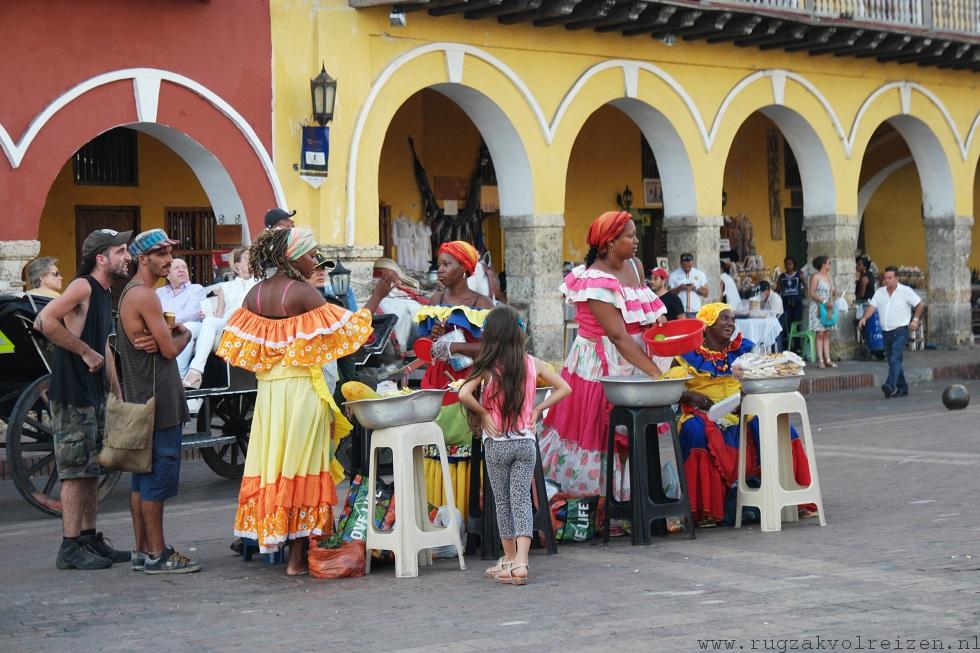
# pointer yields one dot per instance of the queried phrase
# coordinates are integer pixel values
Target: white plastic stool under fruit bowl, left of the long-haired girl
(413, 534)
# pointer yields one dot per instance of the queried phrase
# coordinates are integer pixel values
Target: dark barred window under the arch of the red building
(108, 160)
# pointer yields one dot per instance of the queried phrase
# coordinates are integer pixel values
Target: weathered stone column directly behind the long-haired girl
(533, 260)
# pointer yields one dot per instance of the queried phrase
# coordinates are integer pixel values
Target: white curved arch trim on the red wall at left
(146, 88)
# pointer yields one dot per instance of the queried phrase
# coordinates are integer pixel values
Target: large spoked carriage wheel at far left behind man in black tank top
(30, 451)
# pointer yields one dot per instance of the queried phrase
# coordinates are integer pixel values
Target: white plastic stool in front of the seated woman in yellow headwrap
(778, 494)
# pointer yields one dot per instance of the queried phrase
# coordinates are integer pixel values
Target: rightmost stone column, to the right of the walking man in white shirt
(947, 253)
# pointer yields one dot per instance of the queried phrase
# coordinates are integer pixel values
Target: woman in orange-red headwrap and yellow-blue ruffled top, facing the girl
(454, 320)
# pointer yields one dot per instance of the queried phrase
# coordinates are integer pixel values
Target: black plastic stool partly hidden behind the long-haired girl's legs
(482, 523)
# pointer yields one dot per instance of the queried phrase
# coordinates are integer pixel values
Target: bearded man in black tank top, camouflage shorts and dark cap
(78, 324)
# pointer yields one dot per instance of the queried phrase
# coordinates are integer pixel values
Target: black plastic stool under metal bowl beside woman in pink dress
(647, 503)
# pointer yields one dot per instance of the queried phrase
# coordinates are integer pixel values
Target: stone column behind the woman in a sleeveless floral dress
(835, 236)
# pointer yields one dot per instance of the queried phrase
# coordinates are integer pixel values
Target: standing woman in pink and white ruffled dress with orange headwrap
(613, 307)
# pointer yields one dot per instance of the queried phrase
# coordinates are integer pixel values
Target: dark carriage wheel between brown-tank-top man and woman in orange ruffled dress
(230, 415)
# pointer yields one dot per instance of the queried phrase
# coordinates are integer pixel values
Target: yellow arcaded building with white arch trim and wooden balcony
(830, 128)
